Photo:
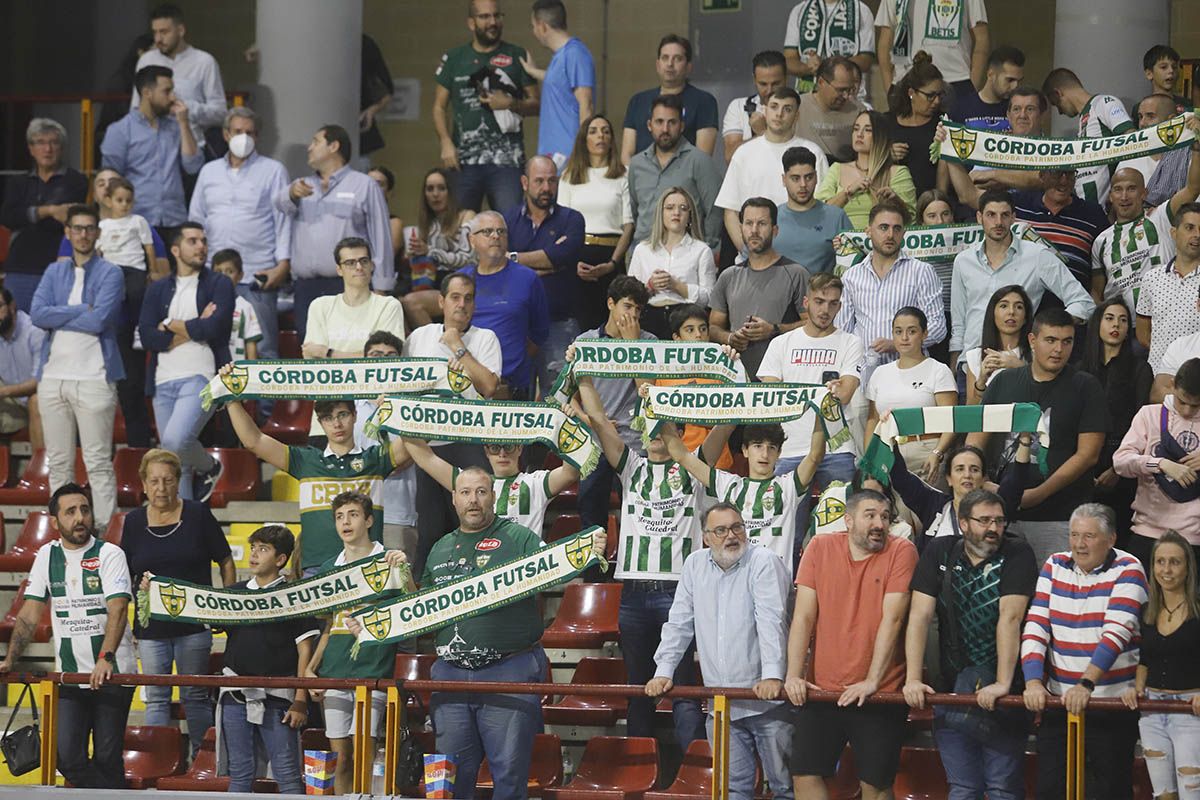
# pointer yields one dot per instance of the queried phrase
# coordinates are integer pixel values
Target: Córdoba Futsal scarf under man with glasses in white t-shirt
(333, 380)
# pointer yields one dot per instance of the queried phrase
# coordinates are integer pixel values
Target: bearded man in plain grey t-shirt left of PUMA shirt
(757, 302)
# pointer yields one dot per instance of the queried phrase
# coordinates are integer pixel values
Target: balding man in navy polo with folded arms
(549, 238)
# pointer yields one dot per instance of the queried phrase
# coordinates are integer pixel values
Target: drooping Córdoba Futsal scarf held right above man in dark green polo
(488, 422)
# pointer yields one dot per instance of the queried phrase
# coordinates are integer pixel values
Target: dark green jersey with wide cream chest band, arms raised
(323, 476)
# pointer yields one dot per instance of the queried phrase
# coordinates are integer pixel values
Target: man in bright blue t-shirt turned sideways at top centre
(568, 83)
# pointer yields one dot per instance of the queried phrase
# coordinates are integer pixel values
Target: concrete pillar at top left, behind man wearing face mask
(310, 62)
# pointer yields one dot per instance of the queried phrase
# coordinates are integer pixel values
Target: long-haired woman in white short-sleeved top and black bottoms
(595, 184)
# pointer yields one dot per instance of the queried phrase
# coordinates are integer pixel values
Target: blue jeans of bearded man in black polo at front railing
(973, 767)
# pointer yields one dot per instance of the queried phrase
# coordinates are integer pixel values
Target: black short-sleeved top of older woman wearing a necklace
(187, 552)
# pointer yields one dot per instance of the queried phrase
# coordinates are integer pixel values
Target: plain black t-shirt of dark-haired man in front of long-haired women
(1073, 404)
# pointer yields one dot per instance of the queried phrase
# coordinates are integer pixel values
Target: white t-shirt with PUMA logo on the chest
(796, 358)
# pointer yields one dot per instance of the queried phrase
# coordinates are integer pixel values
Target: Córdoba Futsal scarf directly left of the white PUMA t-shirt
(742, 405)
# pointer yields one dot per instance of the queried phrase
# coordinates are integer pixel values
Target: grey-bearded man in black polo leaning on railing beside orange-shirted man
(979, 585)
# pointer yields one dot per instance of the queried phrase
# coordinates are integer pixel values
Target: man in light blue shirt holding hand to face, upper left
(151, 145)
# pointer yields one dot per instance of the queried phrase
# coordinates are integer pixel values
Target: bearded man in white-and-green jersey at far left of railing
(87, 584)
